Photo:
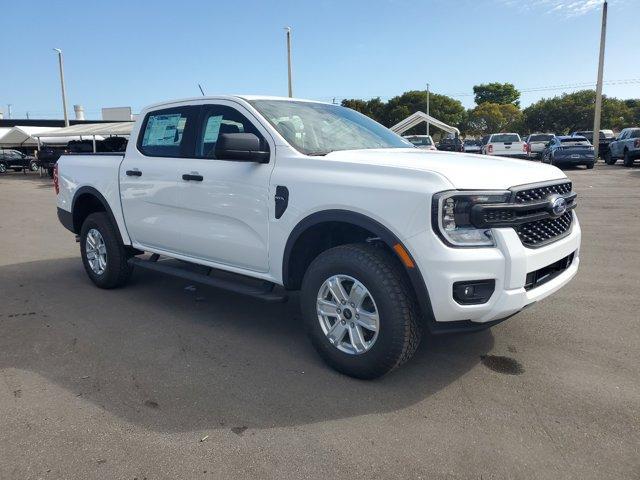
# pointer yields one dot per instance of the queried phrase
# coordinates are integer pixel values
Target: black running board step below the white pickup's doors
(264, 292)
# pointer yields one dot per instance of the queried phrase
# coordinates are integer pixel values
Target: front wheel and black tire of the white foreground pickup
(359, 312)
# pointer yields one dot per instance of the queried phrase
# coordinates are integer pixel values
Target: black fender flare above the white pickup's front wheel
(379, 230)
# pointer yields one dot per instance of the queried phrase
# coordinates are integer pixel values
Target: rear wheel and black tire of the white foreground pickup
(104, 257)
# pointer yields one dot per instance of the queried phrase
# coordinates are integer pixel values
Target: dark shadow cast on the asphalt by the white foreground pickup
(169, 356)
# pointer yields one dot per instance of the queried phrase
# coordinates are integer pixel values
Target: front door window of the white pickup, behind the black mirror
(216, 120)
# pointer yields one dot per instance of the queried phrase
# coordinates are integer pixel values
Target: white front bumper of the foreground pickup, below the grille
(508, 264)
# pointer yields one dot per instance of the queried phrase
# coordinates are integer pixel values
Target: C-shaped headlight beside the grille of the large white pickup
(451, 217)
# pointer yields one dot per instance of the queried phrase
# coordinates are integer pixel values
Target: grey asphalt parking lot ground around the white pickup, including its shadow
(162, 380)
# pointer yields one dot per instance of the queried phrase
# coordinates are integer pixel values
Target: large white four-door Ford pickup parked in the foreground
(383, 240)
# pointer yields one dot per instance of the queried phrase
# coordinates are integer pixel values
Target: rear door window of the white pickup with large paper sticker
(168, 132)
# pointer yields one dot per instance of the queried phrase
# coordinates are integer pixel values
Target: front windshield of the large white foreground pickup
(320, 128)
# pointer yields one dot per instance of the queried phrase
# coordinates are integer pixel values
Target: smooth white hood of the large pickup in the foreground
(462, 170)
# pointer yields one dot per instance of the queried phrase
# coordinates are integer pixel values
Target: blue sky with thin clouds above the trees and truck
(135, 53)
